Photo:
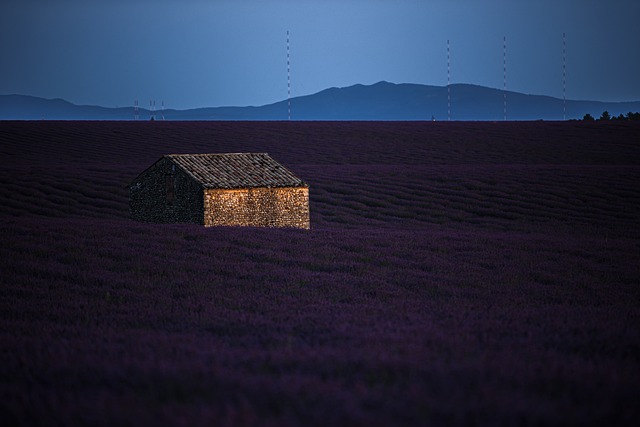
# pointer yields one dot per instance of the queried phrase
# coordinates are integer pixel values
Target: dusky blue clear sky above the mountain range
(196, 53)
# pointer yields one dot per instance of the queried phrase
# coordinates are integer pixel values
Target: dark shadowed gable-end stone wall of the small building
(166, 194)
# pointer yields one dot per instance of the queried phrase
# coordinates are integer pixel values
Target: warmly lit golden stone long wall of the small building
(257, 207)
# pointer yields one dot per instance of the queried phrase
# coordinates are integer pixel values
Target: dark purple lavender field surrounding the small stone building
(455, 274)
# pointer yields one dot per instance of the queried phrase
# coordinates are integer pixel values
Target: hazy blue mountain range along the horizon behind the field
(380, 101)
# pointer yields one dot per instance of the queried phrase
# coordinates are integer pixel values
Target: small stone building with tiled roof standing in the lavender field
(234, 189)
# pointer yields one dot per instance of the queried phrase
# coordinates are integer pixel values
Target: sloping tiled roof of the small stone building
(236, 170)
